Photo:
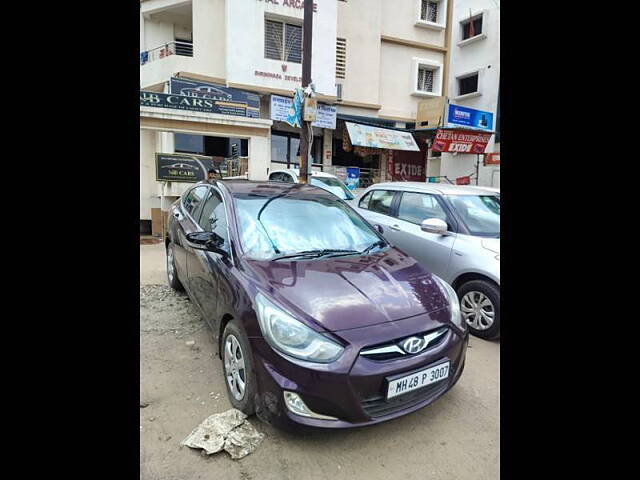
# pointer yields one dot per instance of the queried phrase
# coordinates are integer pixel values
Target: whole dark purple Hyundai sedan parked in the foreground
(319, 321)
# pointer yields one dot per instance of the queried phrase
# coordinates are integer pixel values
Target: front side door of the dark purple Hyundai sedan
(206, 269)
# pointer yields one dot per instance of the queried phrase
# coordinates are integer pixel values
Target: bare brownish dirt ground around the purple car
(457, 437)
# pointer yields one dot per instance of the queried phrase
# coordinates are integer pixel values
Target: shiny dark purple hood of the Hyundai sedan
(341, 293)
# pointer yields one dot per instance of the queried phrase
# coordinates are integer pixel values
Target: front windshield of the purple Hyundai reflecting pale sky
(289, 225)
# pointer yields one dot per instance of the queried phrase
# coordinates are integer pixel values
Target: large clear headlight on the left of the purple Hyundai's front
(288, 335)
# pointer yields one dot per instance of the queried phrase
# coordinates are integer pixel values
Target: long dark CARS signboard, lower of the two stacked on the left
(194, 104)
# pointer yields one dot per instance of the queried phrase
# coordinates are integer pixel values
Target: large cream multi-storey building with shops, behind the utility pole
(373, 61)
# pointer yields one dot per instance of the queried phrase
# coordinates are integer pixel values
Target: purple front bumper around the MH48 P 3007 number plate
(353, 388)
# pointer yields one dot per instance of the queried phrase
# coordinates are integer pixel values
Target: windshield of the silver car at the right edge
(480, 213)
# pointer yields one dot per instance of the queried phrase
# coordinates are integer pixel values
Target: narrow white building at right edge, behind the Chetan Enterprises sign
(474, 82)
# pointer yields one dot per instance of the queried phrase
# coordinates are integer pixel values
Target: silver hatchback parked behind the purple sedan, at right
(454, 231)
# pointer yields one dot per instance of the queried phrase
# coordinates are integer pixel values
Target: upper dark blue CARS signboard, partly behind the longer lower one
(231, 100)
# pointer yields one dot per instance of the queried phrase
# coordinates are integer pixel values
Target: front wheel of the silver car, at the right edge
(480, 307)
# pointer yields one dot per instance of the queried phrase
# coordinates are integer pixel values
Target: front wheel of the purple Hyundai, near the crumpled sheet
(232, 339)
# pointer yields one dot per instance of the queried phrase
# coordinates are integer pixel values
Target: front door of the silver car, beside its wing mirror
(432, 250)
